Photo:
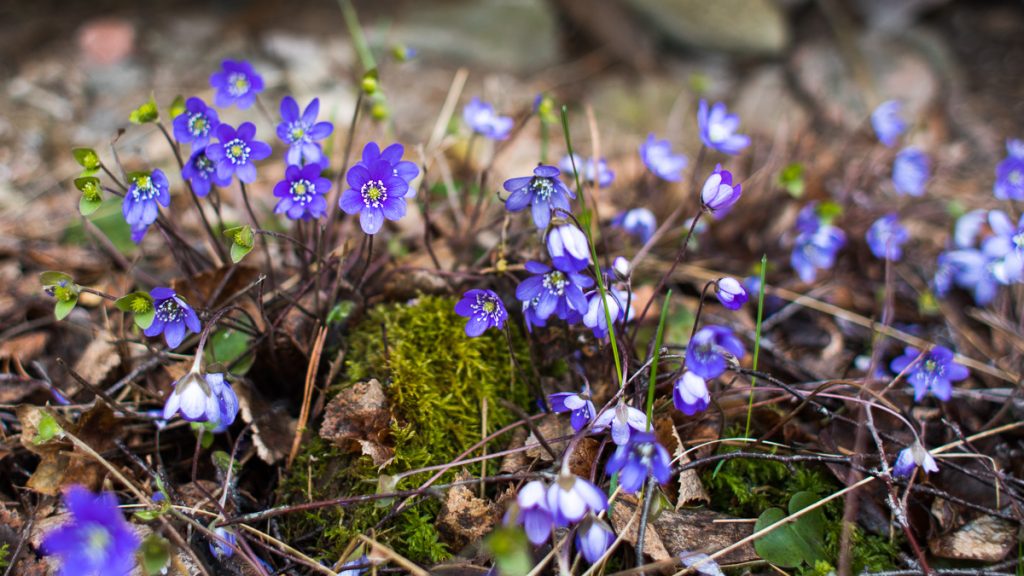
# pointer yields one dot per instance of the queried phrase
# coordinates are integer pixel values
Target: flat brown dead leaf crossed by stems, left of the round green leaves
(695, 530)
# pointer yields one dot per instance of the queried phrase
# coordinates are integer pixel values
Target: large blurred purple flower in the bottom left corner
(98, 541)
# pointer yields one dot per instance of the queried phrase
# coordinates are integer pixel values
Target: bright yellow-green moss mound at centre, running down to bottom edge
(437, 381)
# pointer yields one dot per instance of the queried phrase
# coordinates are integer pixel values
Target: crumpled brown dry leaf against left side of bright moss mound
(359, 420)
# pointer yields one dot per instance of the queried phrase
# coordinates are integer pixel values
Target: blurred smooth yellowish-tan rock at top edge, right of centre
(742, 27)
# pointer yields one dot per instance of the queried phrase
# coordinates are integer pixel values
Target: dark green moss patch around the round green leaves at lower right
(747, 488)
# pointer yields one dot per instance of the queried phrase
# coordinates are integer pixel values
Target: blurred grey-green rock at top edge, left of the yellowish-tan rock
(514, 35)
